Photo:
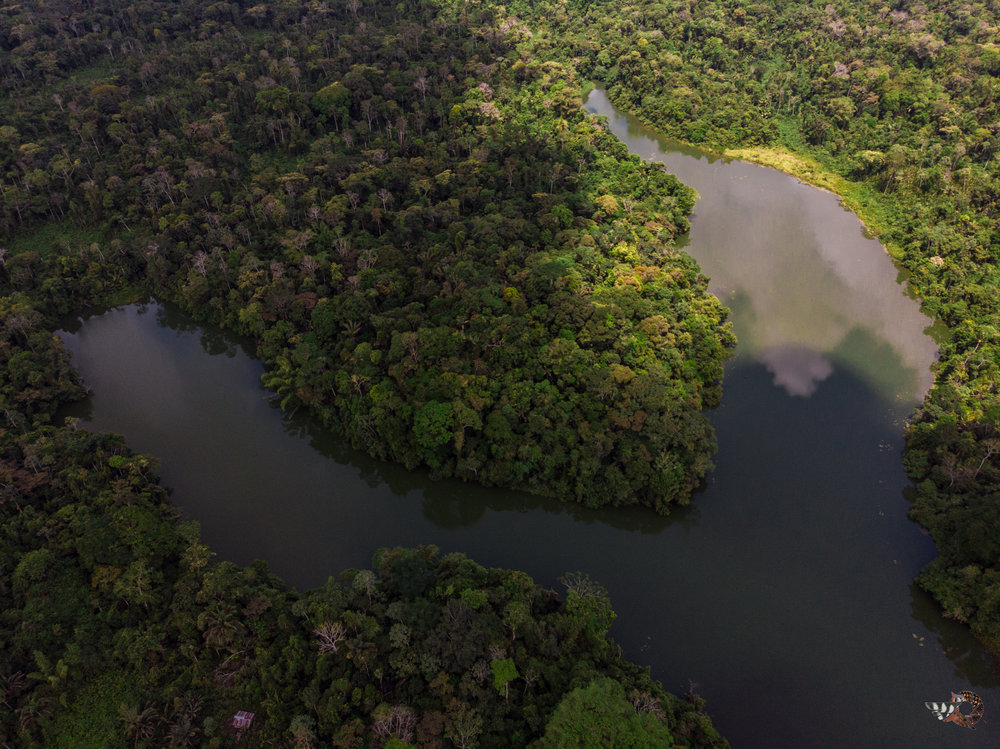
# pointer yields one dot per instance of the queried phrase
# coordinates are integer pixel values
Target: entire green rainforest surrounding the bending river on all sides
(447, 262)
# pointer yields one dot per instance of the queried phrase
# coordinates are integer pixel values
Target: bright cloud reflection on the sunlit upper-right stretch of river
(809, 291)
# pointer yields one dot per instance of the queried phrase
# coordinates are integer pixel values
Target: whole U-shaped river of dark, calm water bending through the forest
(784, 593)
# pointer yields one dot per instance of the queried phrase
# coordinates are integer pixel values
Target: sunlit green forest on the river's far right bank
(903, 99)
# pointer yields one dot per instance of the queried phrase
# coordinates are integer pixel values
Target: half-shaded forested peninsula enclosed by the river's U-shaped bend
(440, 255)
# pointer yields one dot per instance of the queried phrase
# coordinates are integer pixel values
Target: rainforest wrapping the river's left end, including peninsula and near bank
(442, 258)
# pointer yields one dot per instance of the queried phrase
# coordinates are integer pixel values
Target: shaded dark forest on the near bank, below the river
(118, 629)
